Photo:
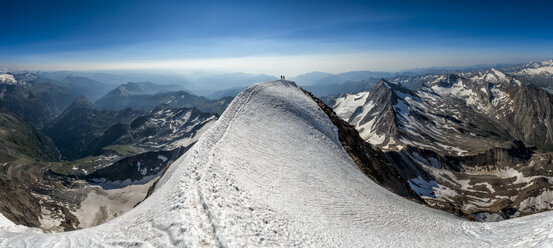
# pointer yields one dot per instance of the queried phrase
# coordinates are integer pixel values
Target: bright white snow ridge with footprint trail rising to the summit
(272, 172)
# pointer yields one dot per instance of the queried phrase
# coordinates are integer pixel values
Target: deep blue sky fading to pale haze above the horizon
(272, 36)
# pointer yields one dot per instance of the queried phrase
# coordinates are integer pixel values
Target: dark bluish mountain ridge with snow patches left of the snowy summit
(82, 130)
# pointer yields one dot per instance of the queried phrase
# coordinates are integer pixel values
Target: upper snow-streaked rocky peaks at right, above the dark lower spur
(462, 115)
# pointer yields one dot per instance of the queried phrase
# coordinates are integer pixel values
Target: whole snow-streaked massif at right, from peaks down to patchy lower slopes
(462, 135)
